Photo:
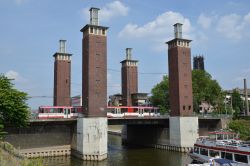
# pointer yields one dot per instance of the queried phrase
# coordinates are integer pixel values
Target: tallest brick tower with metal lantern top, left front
(94, 67)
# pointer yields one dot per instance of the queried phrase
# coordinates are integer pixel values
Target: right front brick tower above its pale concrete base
(180, 75)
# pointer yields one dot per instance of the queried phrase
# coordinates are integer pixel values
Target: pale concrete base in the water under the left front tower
(92, 138)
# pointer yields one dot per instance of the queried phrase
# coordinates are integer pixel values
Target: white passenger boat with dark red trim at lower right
(221, 144)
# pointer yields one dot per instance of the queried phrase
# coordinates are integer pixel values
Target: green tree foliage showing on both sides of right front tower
(204, 89)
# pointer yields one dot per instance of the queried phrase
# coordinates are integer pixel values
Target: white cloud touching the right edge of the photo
(234, 26)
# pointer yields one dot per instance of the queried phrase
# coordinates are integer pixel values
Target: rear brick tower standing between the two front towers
(129, 78)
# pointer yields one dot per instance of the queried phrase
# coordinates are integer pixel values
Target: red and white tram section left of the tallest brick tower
(58, 112)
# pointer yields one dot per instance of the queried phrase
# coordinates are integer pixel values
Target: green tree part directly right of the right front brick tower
(206, 89)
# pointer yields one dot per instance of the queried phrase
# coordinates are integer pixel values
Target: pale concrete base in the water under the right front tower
(183, 131)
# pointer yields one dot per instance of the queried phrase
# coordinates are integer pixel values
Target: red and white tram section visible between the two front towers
(133, 111)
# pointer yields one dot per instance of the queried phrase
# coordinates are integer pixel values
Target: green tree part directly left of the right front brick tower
(160, 95)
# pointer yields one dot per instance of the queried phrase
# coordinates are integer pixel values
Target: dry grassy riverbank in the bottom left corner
(10, 156)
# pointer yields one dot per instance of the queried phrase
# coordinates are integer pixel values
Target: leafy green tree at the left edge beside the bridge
(13, 106)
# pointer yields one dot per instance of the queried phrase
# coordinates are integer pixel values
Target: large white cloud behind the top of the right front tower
(159, 30)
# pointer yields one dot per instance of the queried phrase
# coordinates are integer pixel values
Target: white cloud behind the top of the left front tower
(109, 11)
